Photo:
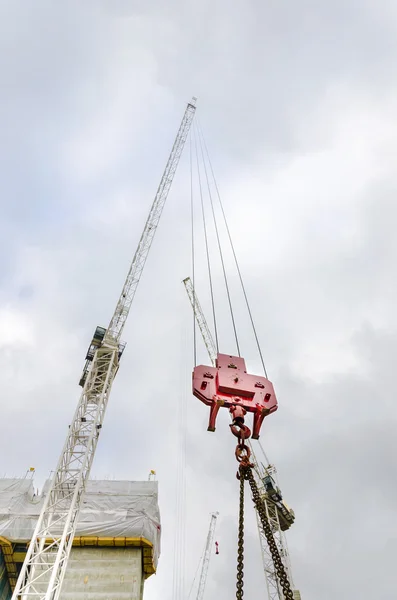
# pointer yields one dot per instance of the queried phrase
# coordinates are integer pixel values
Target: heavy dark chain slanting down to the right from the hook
(261, 508)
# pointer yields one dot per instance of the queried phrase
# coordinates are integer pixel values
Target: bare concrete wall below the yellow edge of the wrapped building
(104, 574)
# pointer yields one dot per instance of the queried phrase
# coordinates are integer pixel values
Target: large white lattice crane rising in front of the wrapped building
(45, 564)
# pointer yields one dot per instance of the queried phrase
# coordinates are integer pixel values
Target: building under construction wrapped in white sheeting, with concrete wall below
(115, 548)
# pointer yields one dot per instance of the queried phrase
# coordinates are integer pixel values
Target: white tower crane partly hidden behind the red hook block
(279, 514)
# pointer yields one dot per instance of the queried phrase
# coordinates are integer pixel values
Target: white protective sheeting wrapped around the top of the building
(109, 509)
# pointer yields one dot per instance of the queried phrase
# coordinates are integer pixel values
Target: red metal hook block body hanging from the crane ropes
(228, 384)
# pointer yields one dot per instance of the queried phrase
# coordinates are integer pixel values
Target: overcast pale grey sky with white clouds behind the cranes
(298, 103)
